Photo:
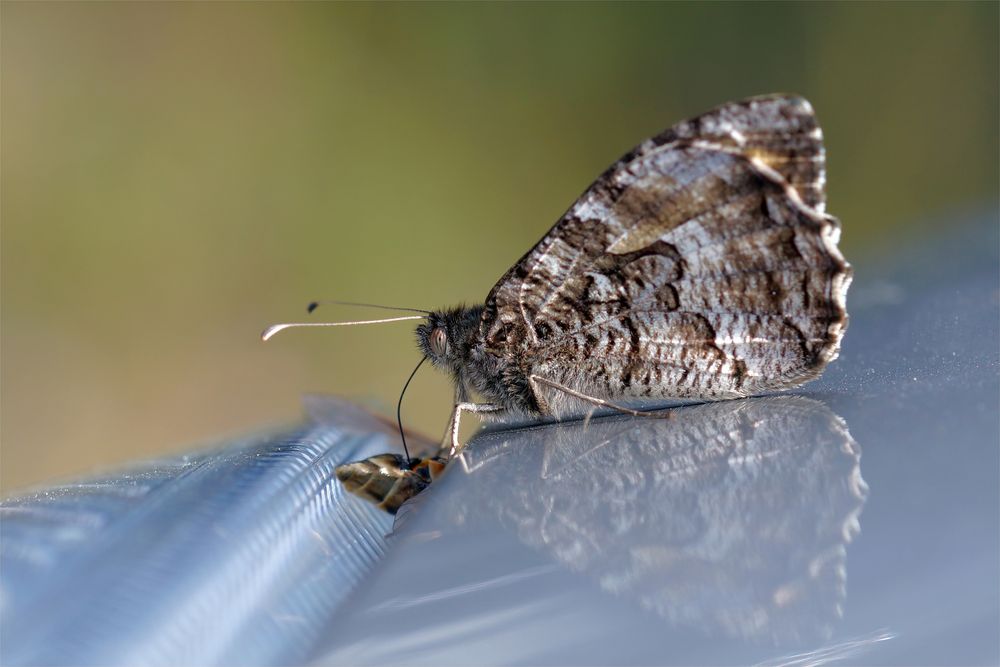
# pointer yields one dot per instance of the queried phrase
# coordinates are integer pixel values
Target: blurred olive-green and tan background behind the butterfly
(177, 176)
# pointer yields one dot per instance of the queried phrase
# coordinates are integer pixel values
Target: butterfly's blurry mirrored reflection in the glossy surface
(732, 517)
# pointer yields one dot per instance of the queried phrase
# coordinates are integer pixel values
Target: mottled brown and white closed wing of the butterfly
(702, 264)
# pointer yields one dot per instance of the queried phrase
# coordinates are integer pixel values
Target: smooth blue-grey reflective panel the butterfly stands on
(857, 521)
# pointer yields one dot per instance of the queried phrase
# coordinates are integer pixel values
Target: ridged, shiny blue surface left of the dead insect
(231, 556)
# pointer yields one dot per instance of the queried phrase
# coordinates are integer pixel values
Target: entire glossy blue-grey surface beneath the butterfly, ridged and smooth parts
(856, 520)
